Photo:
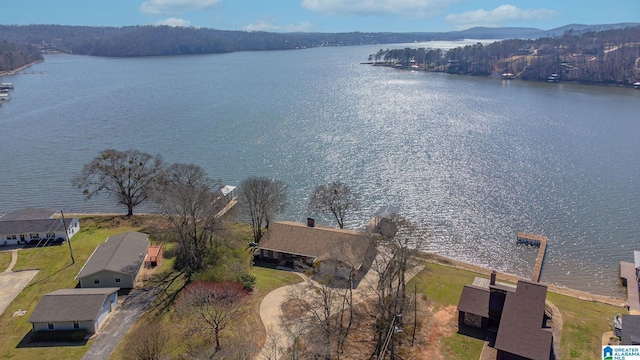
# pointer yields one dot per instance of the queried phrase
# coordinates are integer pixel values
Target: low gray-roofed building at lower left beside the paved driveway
(74, 309)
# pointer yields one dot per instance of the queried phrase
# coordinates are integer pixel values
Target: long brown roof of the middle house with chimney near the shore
(316, 242)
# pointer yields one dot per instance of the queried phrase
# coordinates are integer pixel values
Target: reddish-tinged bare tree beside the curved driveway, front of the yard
(216, 304)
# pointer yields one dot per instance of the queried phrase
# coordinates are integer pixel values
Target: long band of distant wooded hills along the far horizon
(164, 40)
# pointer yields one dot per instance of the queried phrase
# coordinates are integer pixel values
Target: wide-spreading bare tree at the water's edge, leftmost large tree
(128, 176)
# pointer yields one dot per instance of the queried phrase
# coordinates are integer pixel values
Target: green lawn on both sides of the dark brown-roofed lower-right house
(584, 321)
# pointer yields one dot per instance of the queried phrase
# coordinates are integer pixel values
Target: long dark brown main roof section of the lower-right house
(521, 332)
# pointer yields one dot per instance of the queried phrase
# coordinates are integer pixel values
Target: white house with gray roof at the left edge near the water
(35, 226)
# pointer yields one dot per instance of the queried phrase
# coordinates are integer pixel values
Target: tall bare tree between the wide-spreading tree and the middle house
(190, 201)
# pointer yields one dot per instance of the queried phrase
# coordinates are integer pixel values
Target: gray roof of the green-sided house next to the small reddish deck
(122, 253)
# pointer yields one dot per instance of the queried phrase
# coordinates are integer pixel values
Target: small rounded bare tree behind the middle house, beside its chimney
(336, 199)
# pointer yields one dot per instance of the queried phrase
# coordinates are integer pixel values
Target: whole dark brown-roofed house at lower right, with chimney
(517, 315)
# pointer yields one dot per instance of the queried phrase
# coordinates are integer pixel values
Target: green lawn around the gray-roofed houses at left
(55, 272)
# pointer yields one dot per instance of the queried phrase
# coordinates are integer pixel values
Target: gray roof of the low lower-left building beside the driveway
(71, 305)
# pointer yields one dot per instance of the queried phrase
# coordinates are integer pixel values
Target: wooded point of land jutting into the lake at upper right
(603, 57)
